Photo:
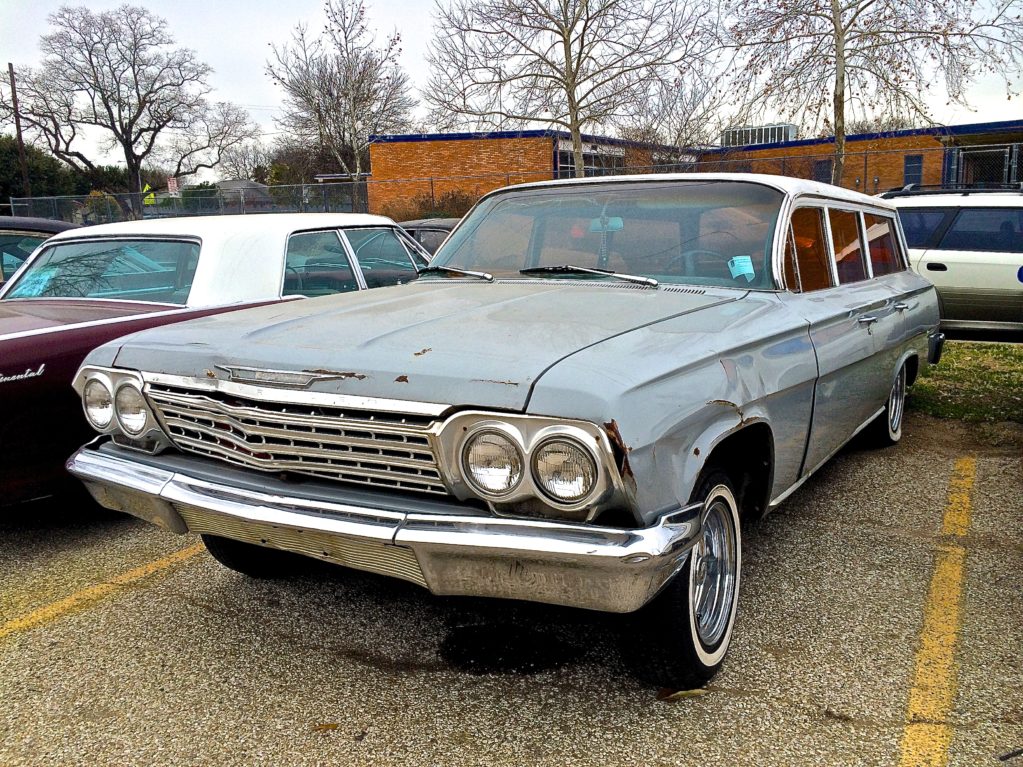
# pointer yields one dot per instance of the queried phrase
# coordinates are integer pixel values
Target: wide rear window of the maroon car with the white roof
(131, 270)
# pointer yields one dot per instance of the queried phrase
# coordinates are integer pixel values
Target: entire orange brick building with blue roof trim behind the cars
(413, 174)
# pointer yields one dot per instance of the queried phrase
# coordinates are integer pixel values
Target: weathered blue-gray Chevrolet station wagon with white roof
(582, 400)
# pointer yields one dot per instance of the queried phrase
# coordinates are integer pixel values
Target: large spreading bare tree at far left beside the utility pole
(118, 72)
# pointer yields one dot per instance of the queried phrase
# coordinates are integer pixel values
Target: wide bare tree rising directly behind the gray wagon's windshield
(571, 64)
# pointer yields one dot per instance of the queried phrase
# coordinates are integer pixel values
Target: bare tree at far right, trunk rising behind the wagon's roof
(825, 60)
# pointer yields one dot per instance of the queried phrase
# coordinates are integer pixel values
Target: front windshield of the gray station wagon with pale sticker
(692, 233)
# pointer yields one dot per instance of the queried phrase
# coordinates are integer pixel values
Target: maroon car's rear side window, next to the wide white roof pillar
(318, 265)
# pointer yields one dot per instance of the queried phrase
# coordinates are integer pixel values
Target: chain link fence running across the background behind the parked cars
(870, 172)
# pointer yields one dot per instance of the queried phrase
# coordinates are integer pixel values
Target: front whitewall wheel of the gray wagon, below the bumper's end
(680, 640)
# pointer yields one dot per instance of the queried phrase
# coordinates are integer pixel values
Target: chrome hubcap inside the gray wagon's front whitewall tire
(715, 574)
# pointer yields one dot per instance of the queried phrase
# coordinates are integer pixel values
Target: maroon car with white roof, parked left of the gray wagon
(87, 287)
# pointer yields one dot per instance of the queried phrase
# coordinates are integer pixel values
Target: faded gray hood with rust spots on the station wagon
(480, 345)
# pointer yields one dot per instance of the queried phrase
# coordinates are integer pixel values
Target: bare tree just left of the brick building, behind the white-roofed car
(340, 88)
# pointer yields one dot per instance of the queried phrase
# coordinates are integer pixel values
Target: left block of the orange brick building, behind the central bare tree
(410, 172)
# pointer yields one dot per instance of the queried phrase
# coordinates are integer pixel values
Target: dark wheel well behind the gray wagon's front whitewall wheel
(748, 458)
